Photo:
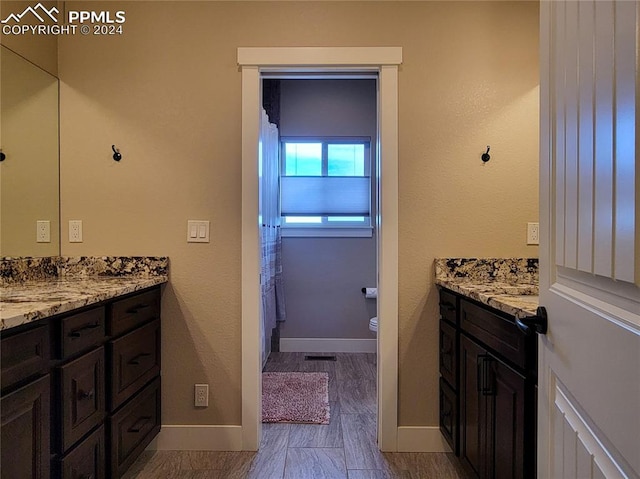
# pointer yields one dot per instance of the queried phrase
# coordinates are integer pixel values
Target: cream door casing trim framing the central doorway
(384, 61)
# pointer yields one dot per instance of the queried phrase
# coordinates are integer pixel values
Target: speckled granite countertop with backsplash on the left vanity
(37, 288)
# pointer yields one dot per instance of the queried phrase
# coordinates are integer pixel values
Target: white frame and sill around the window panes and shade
(326, 228)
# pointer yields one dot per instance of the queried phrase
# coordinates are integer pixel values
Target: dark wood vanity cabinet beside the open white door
(488, 415)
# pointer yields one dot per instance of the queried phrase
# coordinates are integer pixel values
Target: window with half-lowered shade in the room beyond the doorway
(326, 184)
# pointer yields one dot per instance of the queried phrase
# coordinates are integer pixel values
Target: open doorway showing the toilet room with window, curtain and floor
(317, 215)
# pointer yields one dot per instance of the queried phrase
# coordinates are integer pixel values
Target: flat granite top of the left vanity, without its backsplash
(28, 302)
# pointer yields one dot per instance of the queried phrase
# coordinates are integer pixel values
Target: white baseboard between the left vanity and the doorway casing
(197, 438)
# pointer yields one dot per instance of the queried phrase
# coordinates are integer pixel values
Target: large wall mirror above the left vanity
(29, 173)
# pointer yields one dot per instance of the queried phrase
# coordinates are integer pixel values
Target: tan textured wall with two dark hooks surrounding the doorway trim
(167, 93)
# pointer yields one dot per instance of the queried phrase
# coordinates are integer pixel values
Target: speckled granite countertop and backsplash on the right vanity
(509, 285)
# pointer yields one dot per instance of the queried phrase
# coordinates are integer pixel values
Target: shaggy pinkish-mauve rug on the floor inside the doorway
(295, 397)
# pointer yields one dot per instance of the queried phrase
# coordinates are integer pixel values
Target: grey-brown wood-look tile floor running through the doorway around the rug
(344, 449)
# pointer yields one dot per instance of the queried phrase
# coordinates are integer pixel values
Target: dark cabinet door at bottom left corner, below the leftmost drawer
(25, 432)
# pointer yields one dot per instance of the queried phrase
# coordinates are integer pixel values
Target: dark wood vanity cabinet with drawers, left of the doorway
(81, 391)
